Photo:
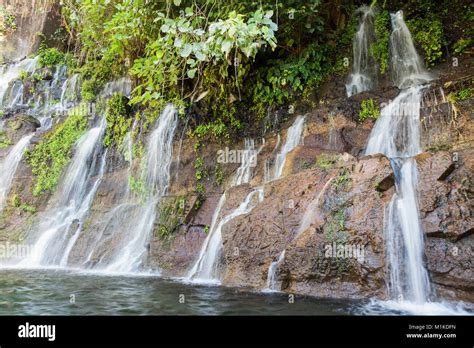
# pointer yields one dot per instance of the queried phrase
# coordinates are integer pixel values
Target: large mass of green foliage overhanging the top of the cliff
(208, 51)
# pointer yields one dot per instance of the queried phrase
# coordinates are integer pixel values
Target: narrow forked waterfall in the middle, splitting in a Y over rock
(205, 269)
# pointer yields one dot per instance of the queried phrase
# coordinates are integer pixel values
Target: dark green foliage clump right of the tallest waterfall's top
(428, 33)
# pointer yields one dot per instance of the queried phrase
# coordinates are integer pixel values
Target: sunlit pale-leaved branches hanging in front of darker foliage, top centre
(188, 44)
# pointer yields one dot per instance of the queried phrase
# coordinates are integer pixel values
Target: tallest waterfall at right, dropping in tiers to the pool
(396, 134)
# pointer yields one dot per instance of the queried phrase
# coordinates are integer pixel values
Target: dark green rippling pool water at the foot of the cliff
(48, 292)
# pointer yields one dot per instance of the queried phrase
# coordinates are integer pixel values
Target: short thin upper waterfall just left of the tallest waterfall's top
(364, 68)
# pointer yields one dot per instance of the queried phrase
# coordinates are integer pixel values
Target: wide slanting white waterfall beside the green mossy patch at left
(59, 226)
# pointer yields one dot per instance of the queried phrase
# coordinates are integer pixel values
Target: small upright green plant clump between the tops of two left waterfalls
(118, 120)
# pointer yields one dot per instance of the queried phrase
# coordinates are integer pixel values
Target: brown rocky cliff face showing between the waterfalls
(330, 195)
